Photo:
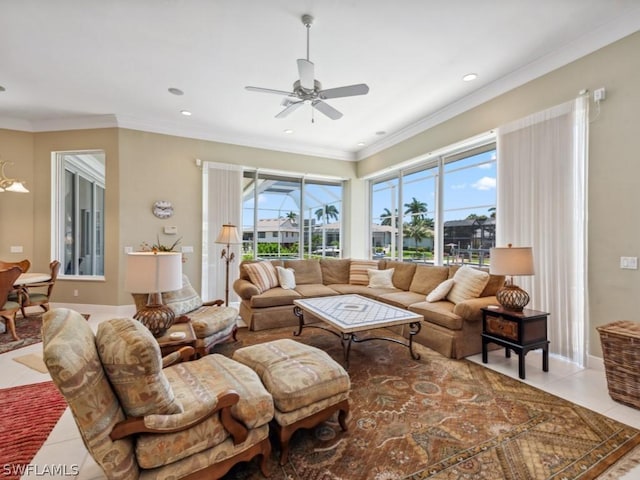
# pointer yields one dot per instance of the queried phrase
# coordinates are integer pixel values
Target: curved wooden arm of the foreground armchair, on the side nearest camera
(183, 421)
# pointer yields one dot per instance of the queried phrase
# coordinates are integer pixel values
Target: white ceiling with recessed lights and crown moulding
(92, 63)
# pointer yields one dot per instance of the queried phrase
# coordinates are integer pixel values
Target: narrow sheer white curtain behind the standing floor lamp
(221, 203)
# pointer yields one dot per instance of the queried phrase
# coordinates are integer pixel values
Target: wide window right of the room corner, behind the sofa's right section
(441, 211)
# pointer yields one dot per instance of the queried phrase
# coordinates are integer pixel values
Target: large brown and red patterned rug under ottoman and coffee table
(437, 419)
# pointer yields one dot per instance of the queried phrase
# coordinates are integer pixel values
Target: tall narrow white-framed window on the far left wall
(78, 212)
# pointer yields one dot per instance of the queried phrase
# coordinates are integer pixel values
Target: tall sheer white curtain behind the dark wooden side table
(542, 203)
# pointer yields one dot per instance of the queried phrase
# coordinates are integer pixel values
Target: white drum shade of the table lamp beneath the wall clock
(153, 272)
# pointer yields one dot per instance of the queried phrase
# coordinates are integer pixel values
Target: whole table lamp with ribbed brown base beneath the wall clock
(154, 273)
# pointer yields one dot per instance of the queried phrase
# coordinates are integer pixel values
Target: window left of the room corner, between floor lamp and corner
(294, 217)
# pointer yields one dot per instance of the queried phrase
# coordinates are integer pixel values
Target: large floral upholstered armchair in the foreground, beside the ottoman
(140, 420)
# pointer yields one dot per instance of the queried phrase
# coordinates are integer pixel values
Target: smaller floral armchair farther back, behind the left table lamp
(212, 323)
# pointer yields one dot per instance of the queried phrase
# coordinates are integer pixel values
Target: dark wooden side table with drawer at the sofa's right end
(517, 331)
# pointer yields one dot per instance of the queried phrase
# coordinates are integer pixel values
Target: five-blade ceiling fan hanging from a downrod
(309, 90)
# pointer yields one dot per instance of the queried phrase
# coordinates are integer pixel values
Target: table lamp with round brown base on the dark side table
(512, 261)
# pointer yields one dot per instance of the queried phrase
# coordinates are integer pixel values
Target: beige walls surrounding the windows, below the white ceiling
(144, 167)
